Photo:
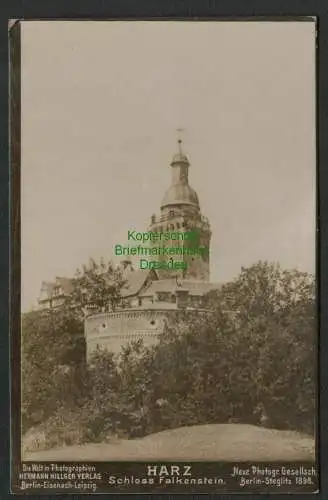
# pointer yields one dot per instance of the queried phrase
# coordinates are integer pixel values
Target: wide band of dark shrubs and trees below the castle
(251, 360)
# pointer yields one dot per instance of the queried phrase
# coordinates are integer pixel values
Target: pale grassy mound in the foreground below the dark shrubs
(226, 442)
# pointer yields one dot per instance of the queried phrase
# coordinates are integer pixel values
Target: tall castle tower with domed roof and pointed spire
(180, 212)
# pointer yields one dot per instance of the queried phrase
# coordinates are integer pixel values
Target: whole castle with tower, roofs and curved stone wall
(151, 296)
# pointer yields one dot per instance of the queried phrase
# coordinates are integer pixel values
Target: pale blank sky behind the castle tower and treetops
(101, 102)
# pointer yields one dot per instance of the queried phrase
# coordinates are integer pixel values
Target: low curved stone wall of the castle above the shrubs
(112, 330)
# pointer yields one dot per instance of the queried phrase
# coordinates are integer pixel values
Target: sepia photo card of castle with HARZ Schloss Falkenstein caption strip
(168, 334)
